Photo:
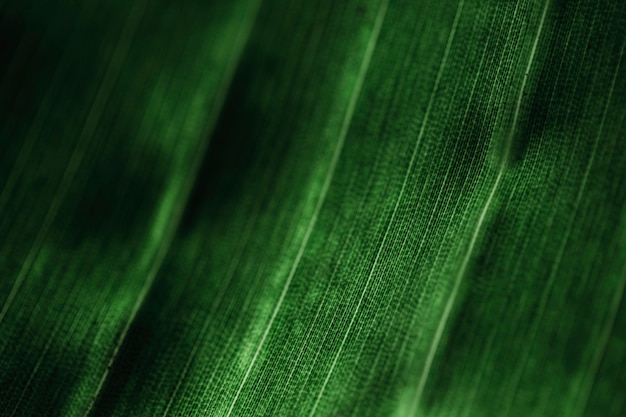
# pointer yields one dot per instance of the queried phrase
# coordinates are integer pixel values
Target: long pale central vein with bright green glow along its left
(329, 176)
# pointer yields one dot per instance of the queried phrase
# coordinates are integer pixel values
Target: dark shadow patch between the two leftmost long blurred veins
(117, 201)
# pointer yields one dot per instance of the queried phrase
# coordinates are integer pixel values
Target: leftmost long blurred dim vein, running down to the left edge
(91, 122)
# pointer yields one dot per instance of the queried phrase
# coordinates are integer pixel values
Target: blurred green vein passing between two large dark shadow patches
(177, 213)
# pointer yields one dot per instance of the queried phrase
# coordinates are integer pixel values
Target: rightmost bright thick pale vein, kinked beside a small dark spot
(459, 278)
